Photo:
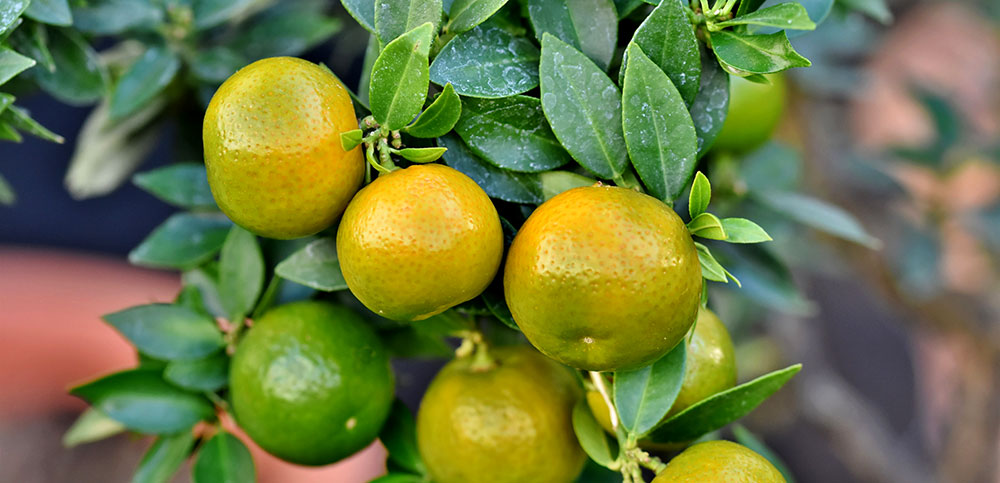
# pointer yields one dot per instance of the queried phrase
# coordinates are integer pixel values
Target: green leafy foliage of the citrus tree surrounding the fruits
(528, 98)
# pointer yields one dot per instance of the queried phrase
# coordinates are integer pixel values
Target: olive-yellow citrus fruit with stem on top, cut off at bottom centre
(511, 423)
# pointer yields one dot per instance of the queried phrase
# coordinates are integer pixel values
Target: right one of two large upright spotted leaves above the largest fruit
(659, 133)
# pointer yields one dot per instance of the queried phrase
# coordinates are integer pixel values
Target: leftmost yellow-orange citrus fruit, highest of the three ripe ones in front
(272, 148)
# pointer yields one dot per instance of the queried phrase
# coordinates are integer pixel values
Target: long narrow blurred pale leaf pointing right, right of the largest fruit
(819, 215)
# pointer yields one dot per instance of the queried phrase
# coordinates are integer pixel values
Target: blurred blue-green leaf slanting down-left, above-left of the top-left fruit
(143, 81)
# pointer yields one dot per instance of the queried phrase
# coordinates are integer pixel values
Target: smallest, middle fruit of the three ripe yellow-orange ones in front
(418, 241)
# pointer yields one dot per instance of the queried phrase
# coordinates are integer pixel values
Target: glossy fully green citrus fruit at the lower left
(310, 383)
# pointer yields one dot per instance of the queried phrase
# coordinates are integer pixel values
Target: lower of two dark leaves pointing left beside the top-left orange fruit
(185, 240)
